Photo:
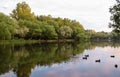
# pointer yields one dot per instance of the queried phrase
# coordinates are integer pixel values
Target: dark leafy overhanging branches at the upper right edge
(115, 18)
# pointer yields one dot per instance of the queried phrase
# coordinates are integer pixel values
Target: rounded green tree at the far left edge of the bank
(7, 27)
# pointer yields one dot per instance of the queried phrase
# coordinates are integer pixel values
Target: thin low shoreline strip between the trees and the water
(23, 41)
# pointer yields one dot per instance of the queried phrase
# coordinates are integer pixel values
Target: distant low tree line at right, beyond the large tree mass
(103, 36)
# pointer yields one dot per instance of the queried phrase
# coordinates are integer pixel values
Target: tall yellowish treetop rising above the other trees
(22, 11)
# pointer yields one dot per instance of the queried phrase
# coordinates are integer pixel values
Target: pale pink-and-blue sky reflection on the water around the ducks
(77, 67)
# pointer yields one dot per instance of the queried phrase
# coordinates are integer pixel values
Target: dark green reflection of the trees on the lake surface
(23, 58)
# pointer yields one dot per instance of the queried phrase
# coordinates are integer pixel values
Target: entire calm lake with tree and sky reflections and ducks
(90, 59)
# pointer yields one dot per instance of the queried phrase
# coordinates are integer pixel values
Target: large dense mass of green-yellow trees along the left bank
(24, 24)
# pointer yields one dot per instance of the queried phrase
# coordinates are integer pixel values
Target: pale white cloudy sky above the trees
(92, 14)
